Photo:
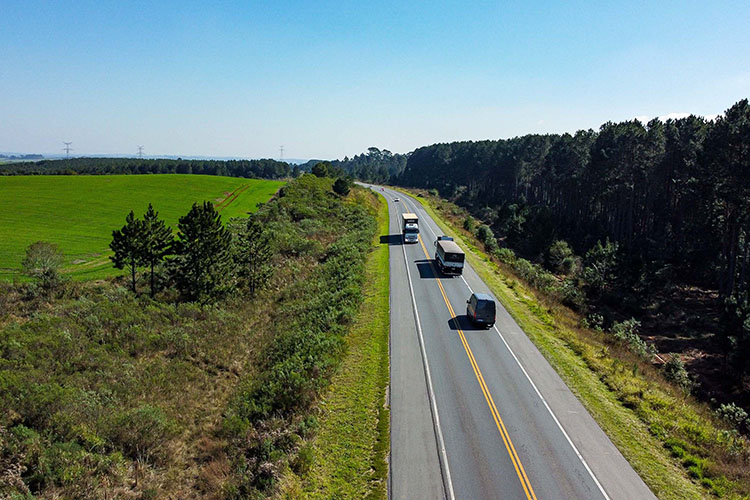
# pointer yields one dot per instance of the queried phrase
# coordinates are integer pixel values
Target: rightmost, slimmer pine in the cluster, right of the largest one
(253, 255)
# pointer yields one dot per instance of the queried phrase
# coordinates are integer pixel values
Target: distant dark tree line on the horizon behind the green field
(264, 169)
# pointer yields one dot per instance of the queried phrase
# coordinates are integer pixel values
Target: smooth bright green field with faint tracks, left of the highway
(79, 213)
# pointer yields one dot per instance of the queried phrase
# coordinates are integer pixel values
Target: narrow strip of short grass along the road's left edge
(350, 449)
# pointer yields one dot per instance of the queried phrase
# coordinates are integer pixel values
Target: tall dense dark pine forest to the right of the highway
(651, 209)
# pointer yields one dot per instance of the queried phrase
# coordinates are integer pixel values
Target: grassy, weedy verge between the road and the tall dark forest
(674, 442)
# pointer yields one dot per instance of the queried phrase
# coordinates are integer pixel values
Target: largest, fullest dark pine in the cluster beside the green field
(202, 254)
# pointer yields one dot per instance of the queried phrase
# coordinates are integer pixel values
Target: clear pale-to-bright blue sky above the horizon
(328, 79)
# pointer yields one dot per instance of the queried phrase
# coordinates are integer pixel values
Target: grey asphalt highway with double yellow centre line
(479, 413)
